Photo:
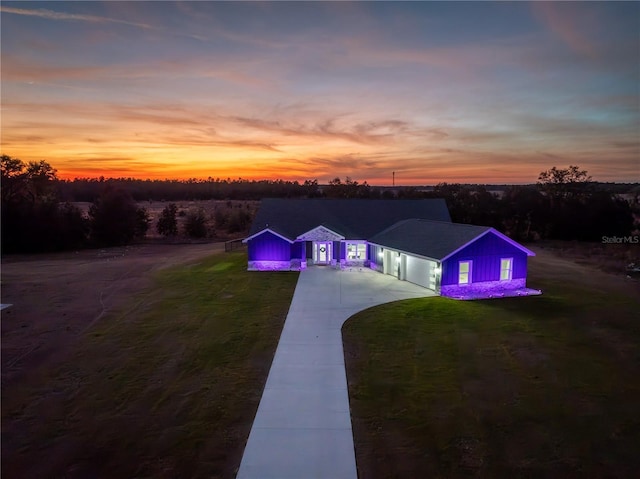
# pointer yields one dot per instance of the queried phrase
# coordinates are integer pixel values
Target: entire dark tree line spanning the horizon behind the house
(38, 213)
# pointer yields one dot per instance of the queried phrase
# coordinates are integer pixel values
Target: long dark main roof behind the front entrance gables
(352, 218)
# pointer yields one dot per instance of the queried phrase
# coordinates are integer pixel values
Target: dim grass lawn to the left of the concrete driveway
(167, 388)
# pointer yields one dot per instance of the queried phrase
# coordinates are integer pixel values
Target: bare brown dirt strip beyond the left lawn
(56, 297)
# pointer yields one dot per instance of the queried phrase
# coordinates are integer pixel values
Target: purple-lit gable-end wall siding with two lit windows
(485, 253)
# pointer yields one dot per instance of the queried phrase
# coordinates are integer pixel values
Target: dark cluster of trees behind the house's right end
(564, 204)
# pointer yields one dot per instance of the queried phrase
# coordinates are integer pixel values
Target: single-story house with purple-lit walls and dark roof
(413, 240)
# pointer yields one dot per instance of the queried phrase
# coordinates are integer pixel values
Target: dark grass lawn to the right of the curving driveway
(544, 386)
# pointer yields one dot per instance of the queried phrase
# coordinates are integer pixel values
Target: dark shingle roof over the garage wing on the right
(433, 239)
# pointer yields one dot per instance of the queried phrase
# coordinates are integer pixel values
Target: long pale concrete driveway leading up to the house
(302, 429)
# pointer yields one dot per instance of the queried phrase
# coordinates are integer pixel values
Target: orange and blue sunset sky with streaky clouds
(456, 92)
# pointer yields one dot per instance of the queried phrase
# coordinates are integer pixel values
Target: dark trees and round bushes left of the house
(36, 219)
